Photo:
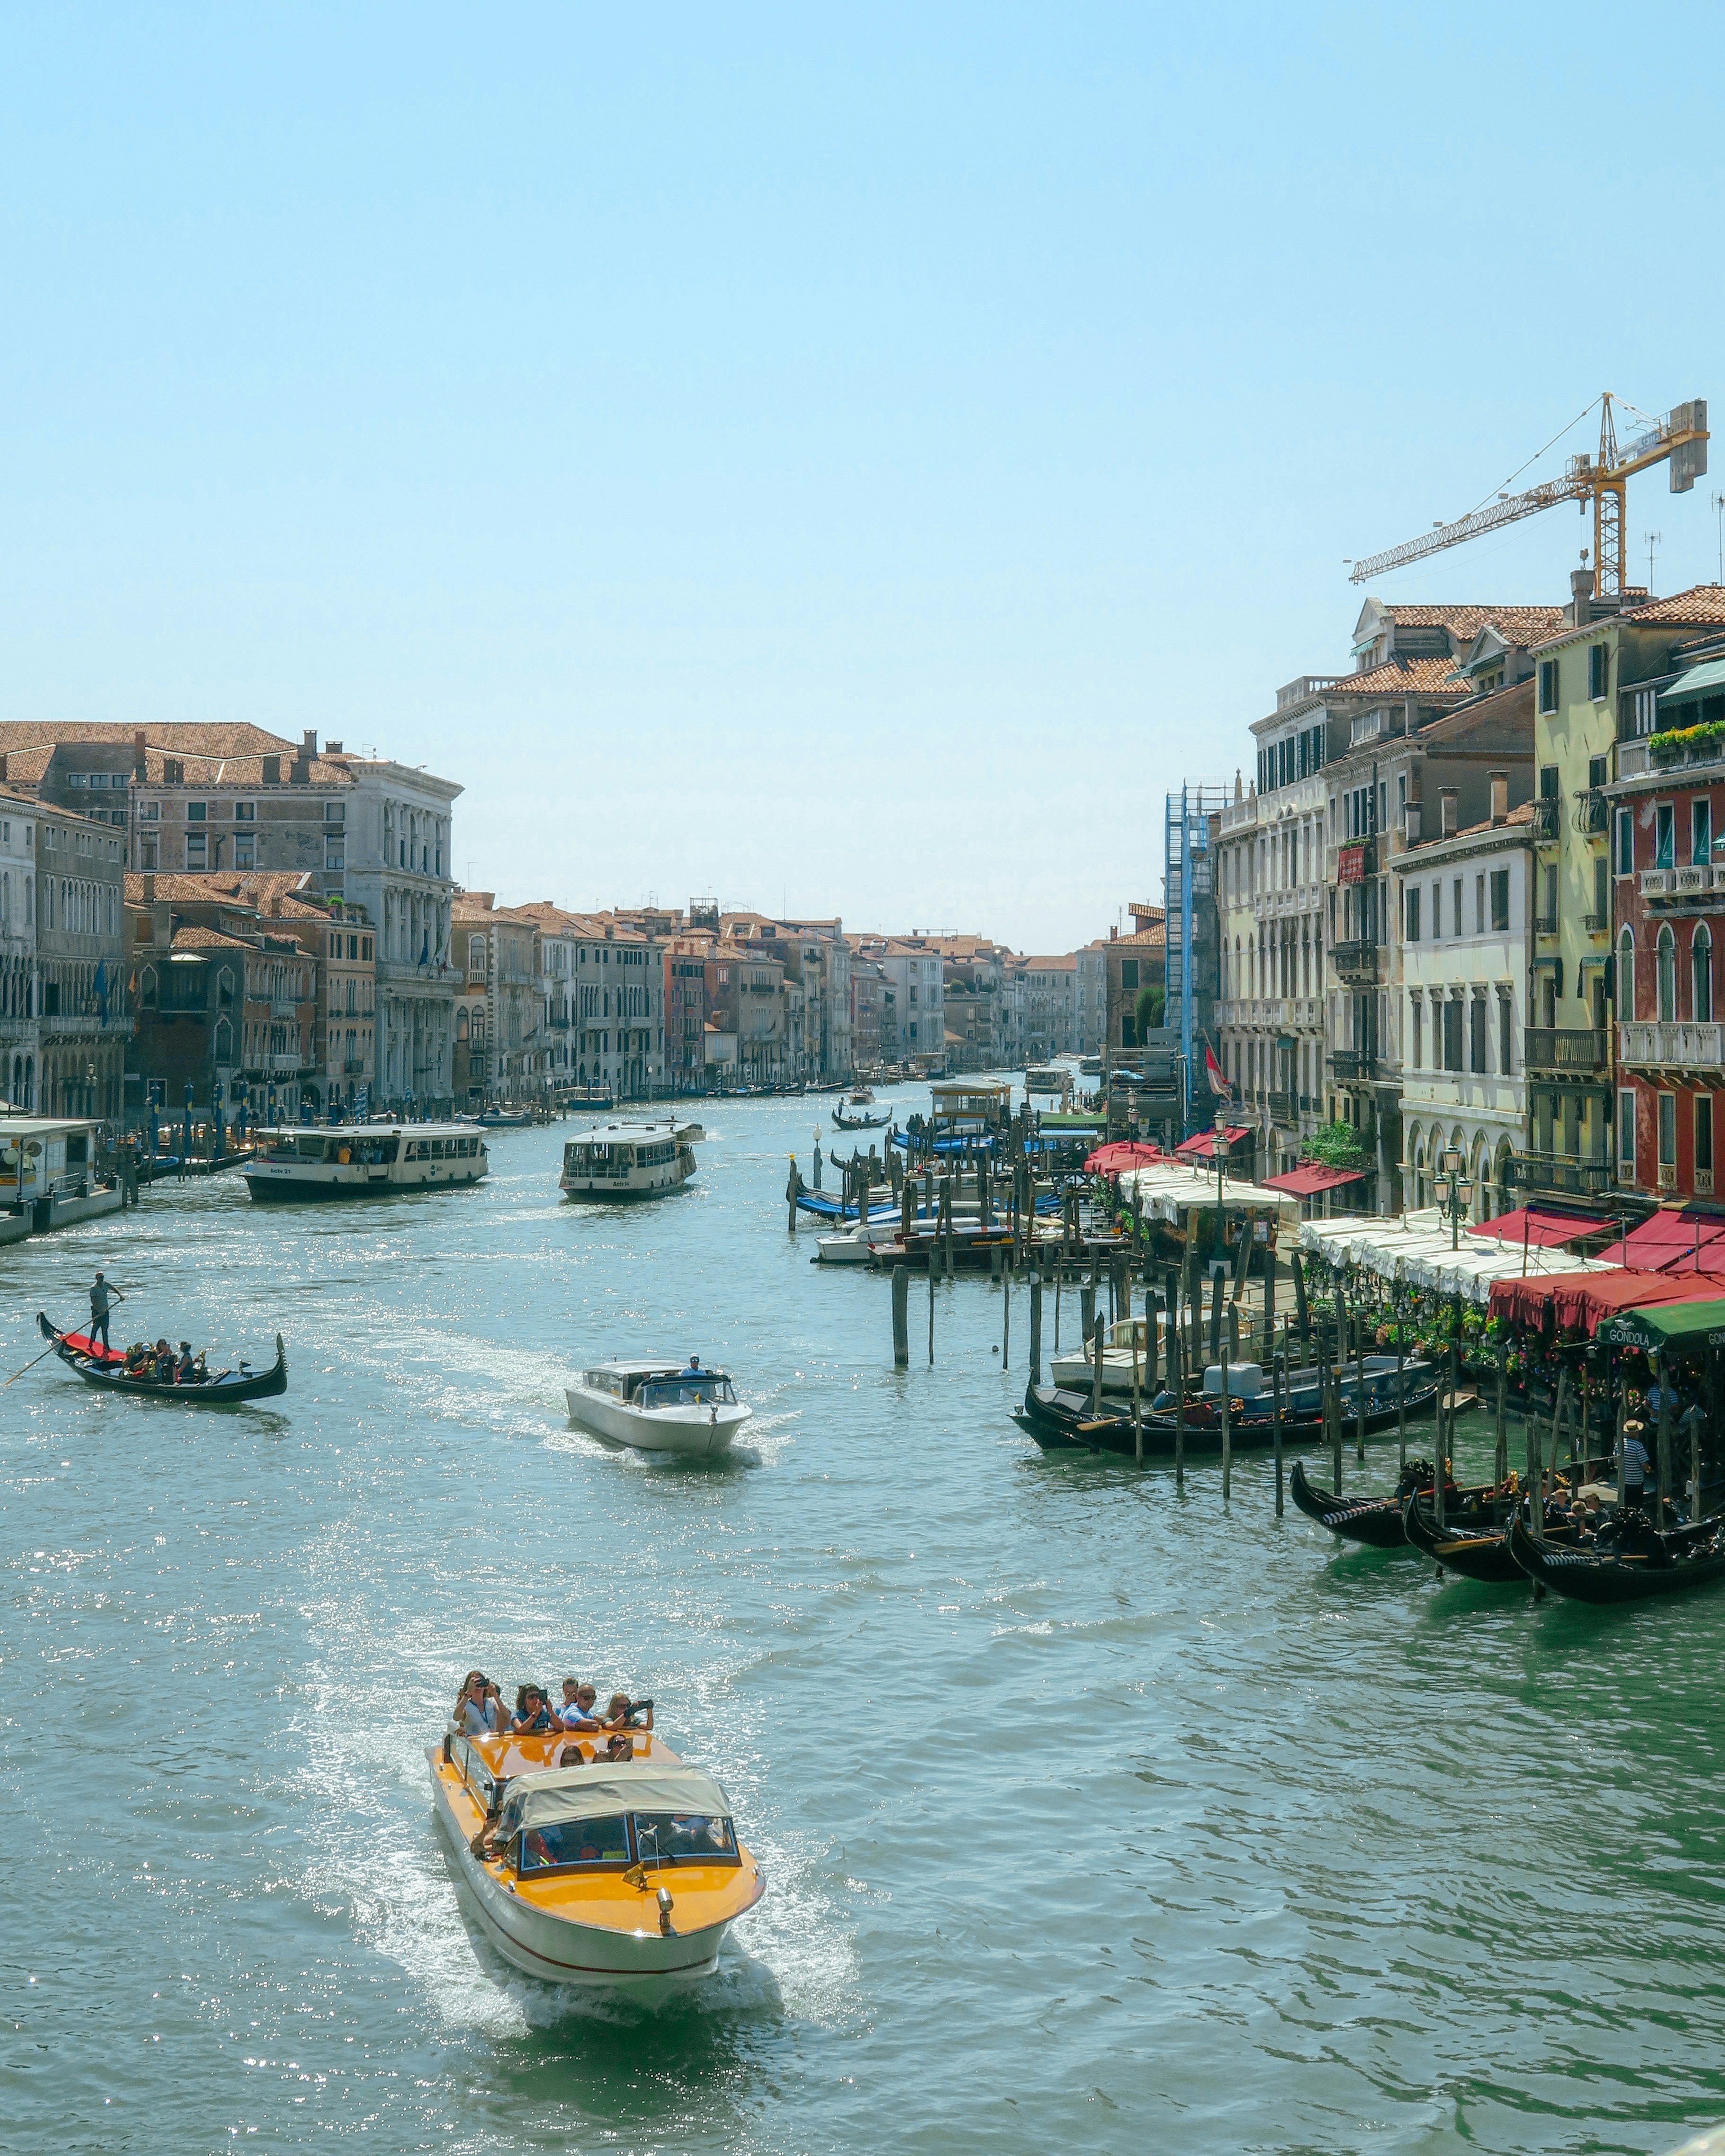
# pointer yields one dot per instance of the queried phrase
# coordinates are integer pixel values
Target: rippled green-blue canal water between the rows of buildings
(1092, 1816)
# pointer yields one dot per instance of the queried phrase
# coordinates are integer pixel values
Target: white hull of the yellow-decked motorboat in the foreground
(557, 1950)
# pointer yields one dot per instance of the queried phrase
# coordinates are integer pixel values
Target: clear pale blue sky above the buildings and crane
(827, 460)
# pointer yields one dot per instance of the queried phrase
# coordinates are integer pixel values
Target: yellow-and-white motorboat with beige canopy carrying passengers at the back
(609, 1875)
